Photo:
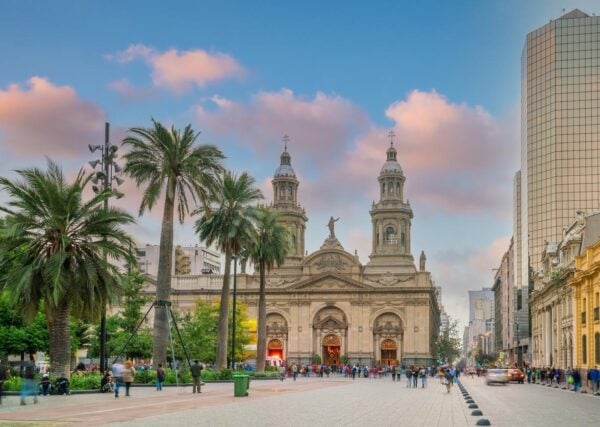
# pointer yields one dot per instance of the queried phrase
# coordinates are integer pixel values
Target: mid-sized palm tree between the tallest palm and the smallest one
(230, 226)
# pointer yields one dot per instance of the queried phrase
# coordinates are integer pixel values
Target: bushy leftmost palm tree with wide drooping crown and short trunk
(59, 251)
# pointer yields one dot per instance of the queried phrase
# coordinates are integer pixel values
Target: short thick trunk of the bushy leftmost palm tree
(59, 331)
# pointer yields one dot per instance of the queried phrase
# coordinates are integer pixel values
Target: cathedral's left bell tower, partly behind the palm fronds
(285, 201)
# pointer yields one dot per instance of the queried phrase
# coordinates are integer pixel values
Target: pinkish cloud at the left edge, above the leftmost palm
(47, 119)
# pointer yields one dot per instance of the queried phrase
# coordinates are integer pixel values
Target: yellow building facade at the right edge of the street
(586, 294)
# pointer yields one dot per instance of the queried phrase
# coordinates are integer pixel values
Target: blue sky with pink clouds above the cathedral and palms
(335, 76)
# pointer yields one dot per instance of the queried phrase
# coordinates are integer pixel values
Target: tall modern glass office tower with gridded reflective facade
(560, 139)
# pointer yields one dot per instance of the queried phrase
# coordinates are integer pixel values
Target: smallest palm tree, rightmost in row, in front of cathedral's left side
(269, 248)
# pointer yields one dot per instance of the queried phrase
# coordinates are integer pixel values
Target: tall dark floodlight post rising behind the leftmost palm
(108, 173)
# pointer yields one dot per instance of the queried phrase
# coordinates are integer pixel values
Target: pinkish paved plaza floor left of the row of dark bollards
(308, 401)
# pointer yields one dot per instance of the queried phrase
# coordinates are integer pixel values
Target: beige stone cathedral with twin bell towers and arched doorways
(327, 302)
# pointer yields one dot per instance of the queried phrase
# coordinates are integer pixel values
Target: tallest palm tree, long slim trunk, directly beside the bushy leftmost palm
(166, 161)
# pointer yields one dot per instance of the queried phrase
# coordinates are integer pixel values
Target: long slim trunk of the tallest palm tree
(163, 281)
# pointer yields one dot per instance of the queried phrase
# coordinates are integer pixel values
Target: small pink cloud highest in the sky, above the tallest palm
(179, 71)
